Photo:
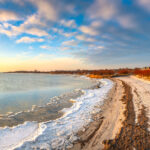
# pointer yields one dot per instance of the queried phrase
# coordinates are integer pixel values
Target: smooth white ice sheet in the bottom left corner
(11, 138)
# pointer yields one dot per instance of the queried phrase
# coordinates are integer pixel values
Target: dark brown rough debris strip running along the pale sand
(132, 135)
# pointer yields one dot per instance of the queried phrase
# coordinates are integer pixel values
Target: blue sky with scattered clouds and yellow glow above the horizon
(74, 34)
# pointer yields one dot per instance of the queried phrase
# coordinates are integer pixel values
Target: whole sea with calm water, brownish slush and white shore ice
(45, 111)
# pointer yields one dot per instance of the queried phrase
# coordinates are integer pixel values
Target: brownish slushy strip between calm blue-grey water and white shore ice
(46, 112)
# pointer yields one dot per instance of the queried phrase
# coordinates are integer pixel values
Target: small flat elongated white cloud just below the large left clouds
(29, 40)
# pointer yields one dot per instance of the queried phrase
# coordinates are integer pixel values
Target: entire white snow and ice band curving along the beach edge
(60, 133)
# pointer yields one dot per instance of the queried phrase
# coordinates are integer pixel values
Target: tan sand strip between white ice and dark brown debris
(106, 123)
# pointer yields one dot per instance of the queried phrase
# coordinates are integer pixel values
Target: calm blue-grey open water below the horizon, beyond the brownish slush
(19, 92)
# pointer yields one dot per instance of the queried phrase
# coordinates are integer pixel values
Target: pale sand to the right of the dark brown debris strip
(141, 95)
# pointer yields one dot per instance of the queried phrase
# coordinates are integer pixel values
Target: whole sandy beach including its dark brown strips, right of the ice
(124, 120)
